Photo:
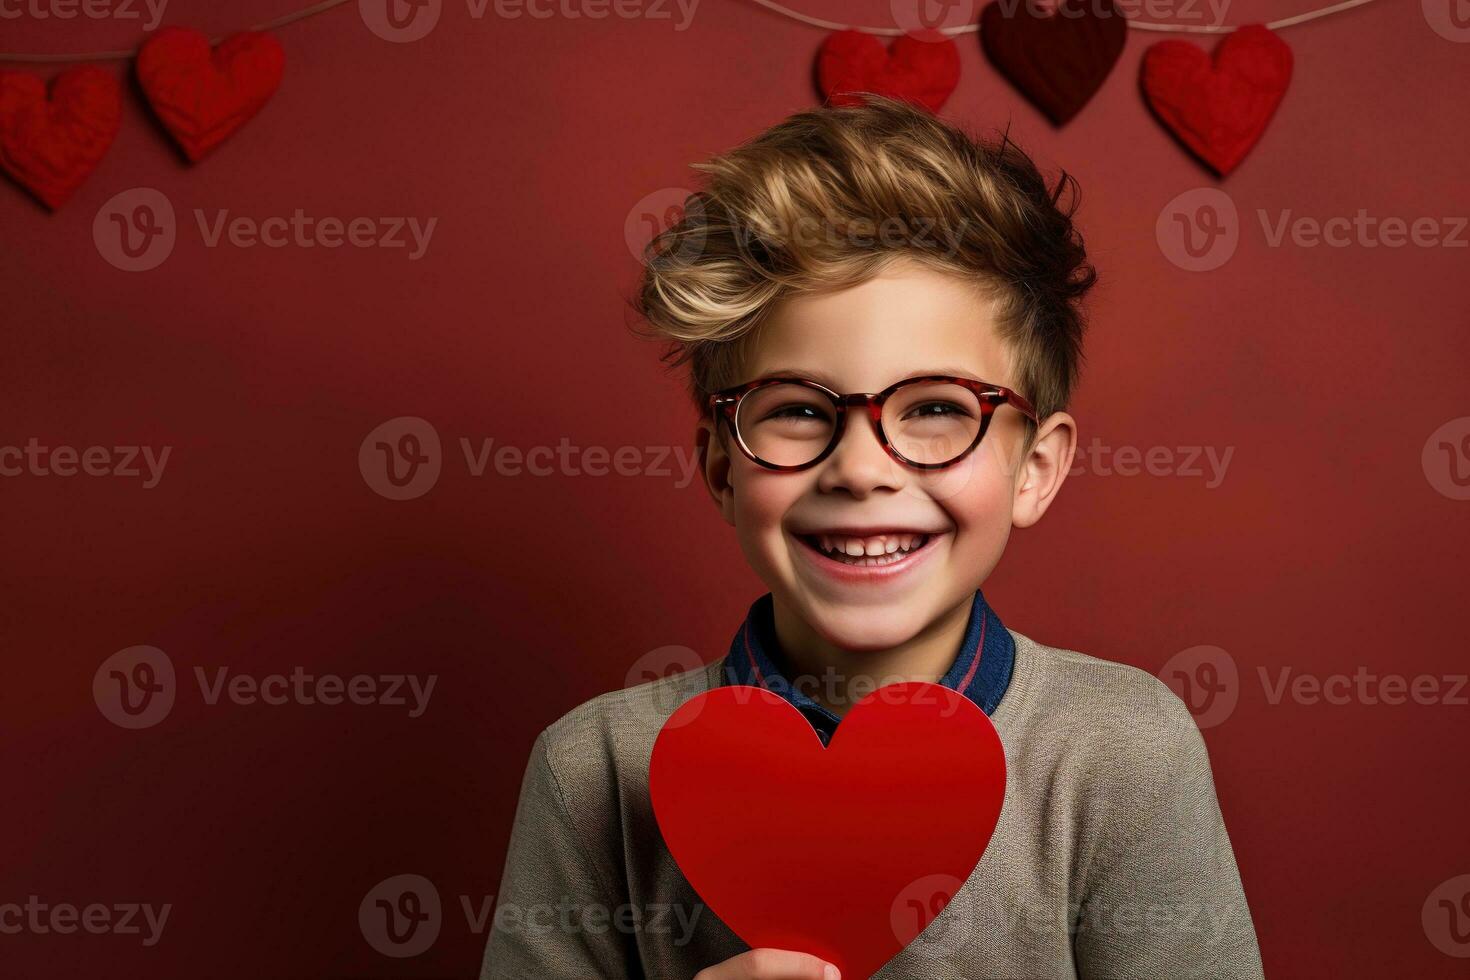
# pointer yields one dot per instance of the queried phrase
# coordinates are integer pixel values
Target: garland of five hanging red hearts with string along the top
(1218, 108)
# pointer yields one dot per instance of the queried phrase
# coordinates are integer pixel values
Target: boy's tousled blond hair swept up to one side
(830, 198)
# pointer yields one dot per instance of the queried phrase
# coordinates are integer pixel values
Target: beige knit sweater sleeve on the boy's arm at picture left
(555, 919)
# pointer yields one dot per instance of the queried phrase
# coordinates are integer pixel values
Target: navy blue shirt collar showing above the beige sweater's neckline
(981, 671)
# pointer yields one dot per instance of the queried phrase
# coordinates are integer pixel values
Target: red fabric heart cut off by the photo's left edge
(52, 145)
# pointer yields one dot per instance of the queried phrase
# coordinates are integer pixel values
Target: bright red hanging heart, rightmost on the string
(1219, 108)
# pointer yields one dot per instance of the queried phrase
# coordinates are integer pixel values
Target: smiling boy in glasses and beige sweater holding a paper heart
(874, 249)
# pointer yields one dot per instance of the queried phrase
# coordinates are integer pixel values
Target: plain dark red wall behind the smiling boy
(533, 142)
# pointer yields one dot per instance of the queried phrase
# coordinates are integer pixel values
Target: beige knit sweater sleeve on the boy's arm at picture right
(1164, 897)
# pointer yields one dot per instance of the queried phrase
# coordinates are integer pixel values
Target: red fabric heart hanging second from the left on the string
(201, 95)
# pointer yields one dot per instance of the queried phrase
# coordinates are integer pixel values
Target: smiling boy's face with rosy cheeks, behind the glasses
(909, 321)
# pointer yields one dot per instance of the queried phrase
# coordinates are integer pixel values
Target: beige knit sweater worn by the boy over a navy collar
(1111, 857)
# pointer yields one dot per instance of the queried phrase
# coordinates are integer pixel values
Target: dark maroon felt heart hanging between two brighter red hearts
(1058, 61)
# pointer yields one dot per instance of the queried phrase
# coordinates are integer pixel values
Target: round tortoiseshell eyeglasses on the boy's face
(930, 422)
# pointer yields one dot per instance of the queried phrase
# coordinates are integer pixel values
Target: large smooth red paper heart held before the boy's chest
(847, 851)
